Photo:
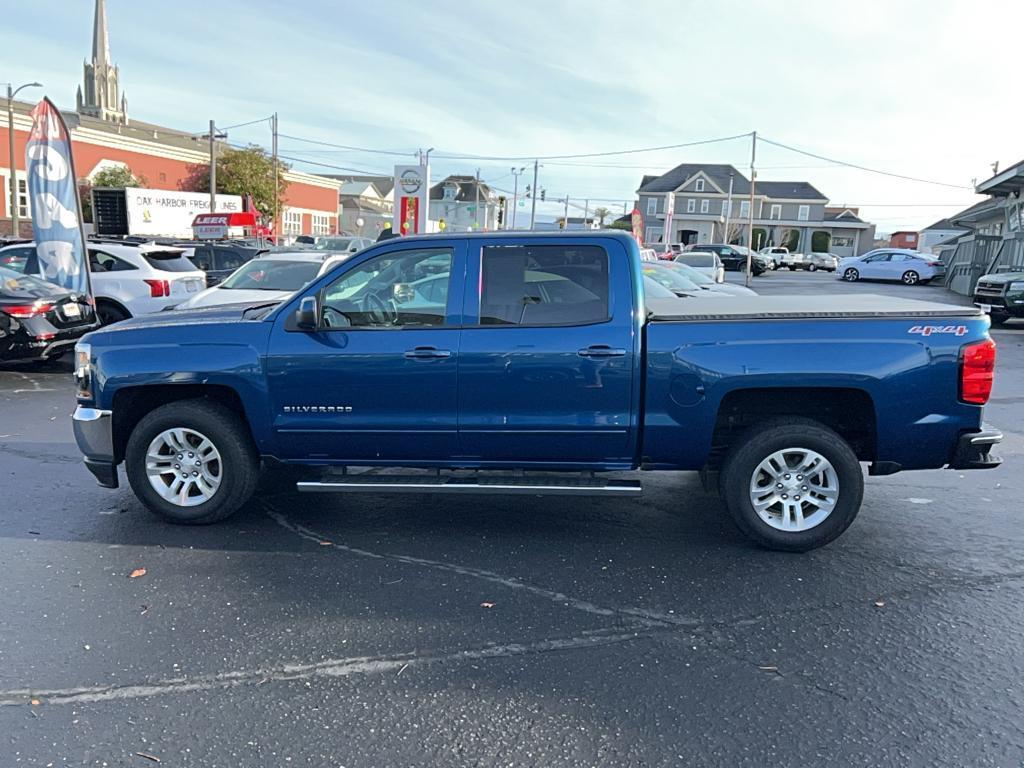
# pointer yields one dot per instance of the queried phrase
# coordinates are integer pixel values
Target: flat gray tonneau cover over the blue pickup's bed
(800, 308)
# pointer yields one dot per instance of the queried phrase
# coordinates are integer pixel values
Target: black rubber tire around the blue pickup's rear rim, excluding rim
(760, 442)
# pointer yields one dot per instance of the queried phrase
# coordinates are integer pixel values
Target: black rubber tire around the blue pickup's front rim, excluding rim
(231, 437)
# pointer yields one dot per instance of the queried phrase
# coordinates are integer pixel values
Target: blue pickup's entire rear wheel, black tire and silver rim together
(792, 486)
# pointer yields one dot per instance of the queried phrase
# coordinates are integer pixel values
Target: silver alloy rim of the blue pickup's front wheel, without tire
(184, 466)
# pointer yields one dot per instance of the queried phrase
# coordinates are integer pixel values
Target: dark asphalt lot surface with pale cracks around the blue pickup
(423, 631)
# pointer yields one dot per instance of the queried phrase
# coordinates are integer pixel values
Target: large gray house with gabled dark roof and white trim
(786, 214)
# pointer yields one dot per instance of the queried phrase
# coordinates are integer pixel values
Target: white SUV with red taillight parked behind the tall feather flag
(127, 280)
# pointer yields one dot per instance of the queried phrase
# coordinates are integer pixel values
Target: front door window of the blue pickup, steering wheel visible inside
(405, 289)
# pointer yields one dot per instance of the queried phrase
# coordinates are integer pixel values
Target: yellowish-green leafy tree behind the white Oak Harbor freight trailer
(248, 172)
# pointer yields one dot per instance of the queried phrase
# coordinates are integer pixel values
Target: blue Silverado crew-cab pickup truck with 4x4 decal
(535, 364)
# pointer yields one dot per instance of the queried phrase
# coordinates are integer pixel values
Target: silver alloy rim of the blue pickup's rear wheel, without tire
(794, 490)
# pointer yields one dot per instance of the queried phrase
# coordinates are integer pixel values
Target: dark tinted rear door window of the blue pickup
(544, 286)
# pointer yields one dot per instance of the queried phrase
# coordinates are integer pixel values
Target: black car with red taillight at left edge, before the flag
(39, 320)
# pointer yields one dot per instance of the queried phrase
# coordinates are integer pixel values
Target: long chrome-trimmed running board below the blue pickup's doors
(497, 485)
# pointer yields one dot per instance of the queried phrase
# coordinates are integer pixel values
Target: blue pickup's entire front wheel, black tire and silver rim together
(192, 462)
